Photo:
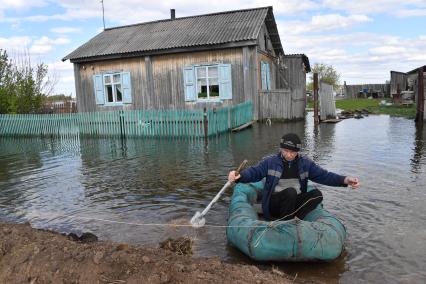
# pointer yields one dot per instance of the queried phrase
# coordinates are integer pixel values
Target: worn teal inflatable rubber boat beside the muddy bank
(320, 236)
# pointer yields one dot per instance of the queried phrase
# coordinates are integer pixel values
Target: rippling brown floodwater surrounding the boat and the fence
(111, 187)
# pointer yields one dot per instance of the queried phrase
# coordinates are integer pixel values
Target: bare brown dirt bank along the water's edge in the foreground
(33, 256)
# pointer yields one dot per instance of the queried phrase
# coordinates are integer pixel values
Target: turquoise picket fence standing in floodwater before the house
(134, 123)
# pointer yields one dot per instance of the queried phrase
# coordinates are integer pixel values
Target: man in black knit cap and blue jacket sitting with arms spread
(287, 173)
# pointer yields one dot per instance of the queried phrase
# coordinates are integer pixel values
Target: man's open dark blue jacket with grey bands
(272, 167)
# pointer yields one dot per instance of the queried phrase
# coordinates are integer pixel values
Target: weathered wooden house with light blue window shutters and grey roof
(203, 61)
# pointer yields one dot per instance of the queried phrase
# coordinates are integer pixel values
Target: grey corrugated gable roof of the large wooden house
(240, 27)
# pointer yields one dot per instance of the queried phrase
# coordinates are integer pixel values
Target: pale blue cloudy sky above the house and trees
(363, 40)
